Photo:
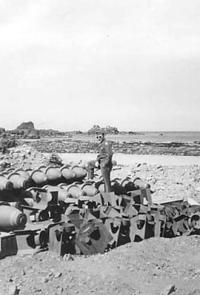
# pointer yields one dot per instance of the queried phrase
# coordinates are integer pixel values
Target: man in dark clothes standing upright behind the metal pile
(104, 160)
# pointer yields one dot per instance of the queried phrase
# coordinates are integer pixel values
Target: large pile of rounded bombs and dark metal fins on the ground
(58, 209)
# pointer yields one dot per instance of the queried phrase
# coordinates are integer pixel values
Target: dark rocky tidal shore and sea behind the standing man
(183, 144)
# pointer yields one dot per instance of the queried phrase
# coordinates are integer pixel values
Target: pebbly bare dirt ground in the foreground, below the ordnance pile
(154, 266)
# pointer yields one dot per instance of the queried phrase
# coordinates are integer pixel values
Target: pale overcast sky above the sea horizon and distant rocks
(70, 64)
